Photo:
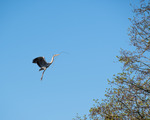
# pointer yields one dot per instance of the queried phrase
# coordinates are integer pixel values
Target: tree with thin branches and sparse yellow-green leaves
(129, 95)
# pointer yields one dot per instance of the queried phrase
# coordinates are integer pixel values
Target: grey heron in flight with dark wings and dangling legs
(41, 62)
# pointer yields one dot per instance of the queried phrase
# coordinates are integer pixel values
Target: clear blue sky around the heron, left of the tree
(89, 33)
